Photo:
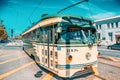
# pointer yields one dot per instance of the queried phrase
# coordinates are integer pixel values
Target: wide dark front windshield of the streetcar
(79, 35)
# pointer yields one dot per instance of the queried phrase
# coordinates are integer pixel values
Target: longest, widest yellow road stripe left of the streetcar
(15, 70)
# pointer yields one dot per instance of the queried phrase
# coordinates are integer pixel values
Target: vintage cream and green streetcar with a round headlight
(63, 44)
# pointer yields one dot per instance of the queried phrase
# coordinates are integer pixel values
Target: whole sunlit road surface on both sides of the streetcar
(15, 64)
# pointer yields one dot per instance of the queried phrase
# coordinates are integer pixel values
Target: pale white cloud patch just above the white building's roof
(103, 15)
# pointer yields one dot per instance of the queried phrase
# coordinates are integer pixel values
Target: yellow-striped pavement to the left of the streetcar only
(15, 64)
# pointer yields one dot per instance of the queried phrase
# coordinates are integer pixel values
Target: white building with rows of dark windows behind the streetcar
(108, 30)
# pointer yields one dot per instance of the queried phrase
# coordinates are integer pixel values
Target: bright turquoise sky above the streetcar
(20, 14)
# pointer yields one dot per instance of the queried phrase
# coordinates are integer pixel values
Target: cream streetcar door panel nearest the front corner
(52, 49)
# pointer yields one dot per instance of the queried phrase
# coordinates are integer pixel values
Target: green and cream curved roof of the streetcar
(50, 19)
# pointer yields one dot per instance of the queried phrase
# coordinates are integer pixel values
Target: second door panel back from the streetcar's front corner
(46, 46)
